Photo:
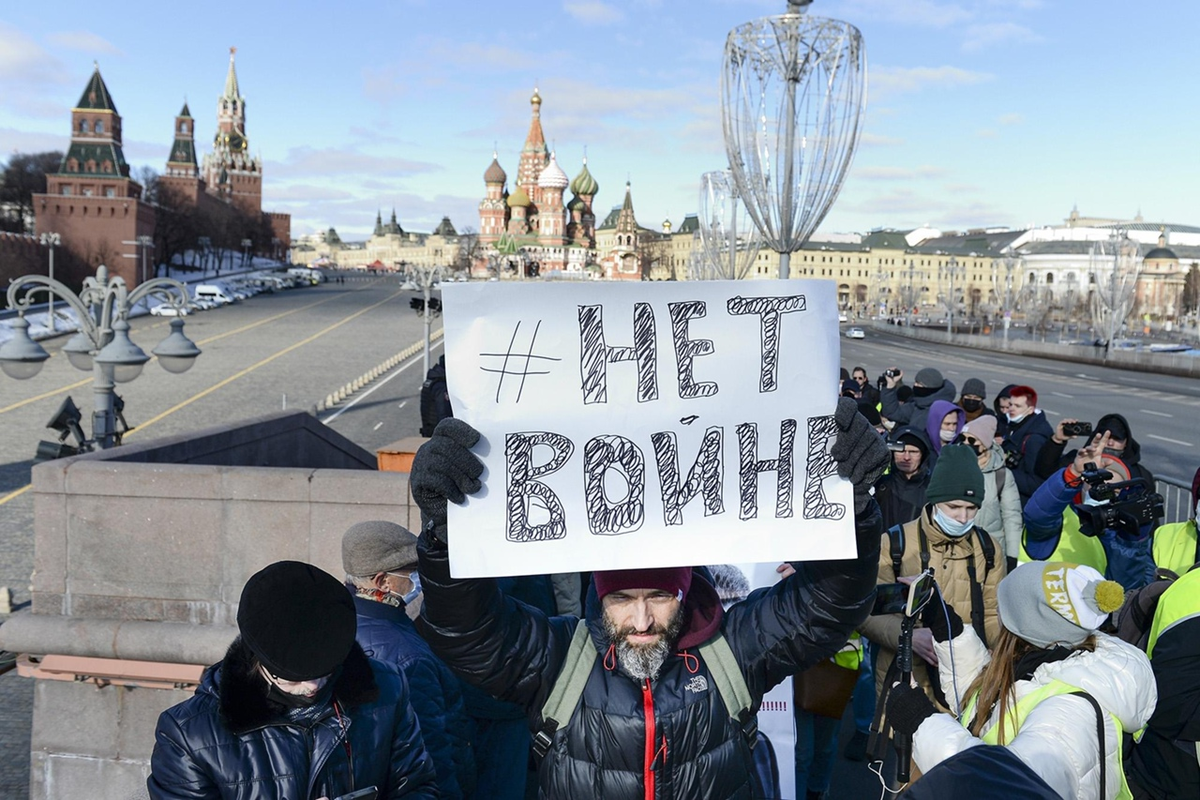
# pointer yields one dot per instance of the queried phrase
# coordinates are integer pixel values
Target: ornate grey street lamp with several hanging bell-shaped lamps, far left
(103, 344)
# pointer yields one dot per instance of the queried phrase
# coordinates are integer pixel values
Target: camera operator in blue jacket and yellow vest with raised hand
(1090, 514)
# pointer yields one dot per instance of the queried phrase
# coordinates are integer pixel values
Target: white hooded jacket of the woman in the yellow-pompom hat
(1059, 738)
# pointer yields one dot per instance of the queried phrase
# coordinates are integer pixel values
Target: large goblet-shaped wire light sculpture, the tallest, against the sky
(793, 95)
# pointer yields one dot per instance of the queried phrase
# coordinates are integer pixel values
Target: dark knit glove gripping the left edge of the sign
(445, 470)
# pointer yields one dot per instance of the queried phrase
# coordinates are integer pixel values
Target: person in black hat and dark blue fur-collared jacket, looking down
(296, 709)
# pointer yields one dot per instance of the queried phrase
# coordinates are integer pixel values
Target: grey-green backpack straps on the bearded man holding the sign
(568, 689)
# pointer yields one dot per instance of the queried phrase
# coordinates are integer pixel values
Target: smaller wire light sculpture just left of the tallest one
(729, 239)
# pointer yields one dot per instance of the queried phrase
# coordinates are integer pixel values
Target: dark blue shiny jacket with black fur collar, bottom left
(231, 742)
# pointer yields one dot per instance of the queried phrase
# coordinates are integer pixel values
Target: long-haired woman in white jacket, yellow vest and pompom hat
(1049, 688)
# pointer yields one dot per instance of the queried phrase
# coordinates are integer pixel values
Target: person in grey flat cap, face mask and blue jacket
(380, 560)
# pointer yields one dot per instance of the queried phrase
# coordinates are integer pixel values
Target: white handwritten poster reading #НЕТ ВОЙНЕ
(646, 425)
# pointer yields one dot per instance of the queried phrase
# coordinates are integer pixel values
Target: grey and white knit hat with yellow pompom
(1053, 603)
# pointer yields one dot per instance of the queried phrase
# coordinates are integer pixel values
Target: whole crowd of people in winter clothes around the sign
(1058, 657)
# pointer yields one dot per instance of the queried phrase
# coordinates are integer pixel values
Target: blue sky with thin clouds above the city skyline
(980, 112)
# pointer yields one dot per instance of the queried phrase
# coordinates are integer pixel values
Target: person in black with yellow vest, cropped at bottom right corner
(1166, 761)
